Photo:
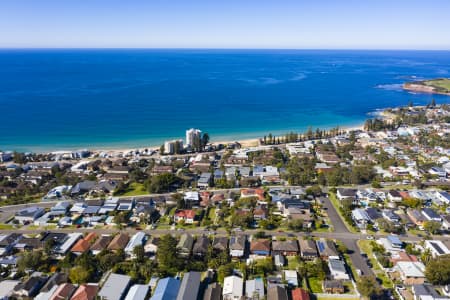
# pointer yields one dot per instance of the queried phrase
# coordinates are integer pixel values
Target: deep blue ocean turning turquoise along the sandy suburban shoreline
(68, 99)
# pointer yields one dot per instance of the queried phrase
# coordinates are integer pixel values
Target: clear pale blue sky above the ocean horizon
(377, 24)
